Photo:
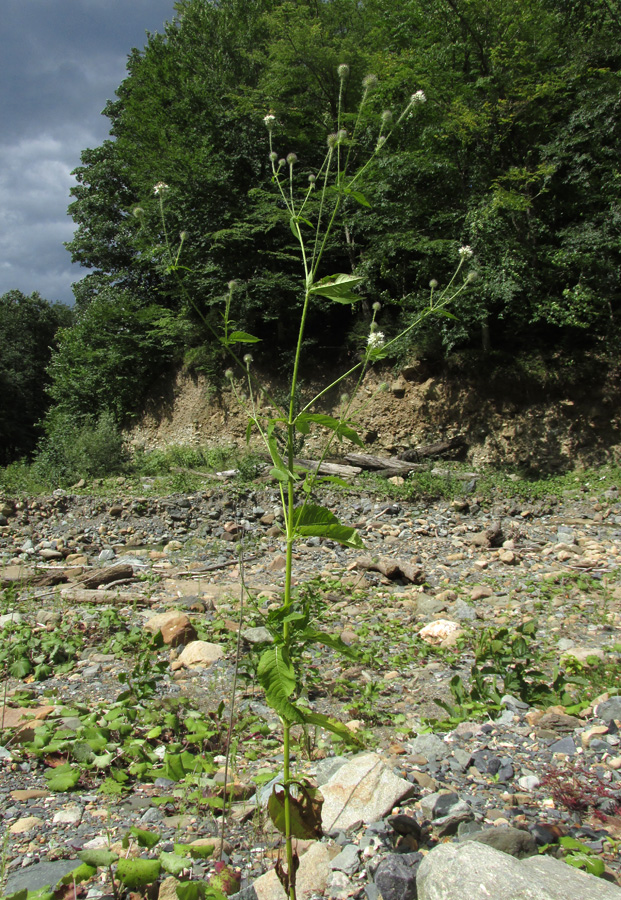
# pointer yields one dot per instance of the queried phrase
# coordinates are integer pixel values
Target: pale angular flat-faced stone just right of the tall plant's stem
(363, 790)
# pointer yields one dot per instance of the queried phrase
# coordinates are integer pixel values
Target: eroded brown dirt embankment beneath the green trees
(507, 418)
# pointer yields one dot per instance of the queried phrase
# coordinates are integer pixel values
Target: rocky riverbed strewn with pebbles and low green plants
(434, 583)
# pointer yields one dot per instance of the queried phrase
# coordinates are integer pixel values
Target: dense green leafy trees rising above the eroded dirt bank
(515, 153)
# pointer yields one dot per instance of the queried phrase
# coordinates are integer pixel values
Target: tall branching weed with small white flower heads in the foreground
(314, 210)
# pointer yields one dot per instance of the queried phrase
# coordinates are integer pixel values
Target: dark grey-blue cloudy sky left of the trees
(60, 61)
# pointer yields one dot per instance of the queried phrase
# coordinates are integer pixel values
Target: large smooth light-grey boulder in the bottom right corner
(479, 872)
